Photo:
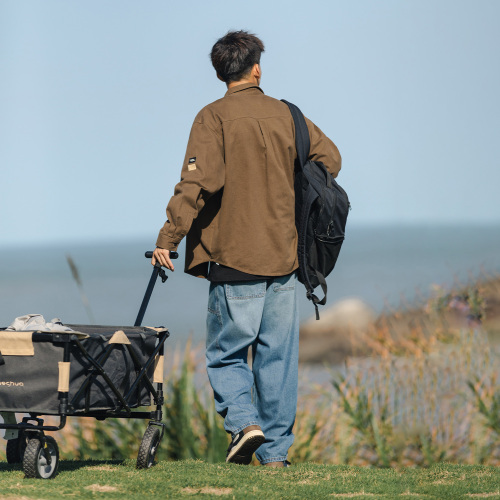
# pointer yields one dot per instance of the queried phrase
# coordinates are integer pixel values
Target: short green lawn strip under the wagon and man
(120, 480)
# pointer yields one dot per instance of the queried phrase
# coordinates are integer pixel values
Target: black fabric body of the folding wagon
(30, 383)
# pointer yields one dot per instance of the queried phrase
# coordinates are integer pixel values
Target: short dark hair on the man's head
(235, 53)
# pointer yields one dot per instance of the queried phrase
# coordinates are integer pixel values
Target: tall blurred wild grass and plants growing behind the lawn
(428, 394)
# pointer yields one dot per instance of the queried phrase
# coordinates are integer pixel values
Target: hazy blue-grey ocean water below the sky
(385, 266)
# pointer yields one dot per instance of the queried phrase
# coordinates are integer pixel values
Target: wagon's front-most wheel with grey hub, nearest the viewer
(35, 463)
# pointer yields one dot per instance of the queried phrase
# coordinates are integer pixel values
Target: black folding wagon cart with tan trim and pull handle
(92, 371)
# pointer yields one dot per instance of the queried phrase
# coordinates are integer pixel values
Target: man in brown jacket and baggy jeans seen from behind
(235, 204)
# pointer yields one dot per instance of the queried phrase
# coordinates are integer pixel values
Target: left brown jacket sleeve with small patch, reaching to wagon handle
(202, 175)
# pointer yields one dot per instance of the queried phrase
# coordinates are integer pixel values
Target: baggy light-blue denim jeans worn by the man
(262, 315)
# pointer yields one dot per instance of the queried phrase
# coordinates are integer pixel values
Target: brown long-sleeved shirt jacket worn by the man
(235, 201)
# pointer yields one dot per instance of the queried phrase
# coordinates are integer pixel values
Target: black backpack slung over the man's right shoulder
(321, 209)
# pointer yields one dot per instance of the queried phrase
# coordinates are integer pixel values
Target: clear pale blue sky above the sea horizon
(97, 100)
